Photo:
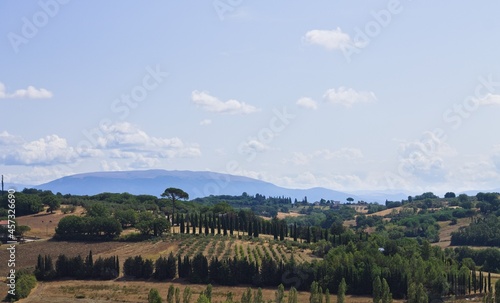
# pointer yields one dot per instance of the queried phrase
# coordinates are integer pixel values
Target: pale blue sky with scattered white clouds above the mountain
(366, 95)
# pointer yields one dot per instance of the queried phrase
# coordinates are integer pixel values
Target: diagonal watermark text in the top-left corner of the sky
(31, 26)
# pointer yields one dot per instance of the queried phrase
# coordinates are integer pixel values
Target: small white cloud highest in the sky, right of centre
(331, 39)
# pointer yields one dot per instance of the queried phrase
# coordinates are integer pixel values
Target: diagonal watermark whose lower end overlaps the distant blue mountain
(280, 120)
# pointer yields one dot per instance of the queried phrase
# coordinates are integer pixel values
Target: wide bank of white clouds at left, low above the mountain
(115, 141)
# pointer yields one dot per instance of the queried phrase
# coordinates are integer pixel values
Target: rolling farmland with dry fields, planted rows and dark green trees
(211, 241)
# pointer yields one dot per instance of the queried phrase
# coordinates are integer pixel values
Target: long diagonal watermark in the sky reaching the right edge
(454, 117)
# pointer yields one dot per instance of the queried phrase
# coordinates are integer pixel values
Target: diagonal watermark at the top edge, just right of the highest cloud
(372, 29)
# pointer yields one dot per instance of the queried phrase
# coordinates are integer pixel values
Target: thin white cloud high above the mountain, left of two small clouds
(212, 104)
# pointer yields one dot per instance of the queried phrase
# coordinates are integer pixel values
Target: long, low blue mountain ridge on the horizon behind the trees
(196, 183)
